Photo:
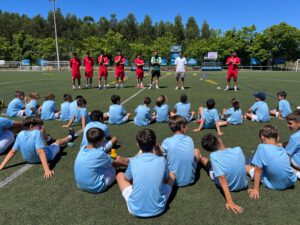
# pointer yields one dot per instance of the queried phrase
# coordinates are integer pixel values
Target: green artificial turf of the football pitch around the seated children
(31, 199)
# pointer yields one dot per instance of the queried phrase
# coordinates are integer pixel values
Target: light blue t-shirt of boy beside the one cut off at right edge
(277, 172)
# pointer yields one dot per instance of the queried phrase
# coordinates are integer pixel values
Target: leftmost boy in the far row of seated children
(16, 107)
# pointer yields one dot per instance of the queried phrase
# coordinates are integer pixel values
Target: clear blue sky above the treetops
(220, 14)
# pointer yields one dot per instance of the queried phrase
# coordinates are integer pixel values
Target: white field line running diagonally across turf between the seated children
(23, 169)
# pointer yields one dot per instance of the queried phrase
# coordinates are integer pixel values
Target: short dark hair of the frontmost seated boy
(146, 140)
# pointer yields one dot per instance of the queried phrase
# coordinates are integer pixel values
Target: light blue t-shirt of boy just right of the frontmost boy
(179, 150)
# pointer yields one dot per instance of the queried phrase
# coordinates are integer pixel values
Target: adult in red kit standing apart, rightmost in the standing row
(233, 63)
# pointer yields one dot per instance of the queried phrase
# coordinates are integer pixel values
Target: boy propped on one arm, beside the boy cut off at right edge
(272, 164)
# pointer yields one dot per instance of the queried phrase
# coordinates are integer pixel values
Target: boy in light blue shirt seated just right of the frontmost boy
(180, 151)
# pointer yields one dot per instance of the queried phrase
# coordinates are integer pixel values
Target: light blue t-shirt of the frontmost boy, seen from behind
(147, 171)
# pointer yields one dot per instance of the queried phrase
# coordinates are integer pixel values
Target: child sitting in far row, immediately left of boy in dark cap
(233, 115)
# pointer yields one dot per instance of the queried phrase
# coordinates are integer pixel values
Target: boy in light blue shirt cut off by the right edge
(293, 146)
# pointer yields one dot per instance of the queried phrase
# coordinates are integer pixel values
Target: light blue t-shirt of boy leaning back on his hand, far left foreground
(28, 142)
